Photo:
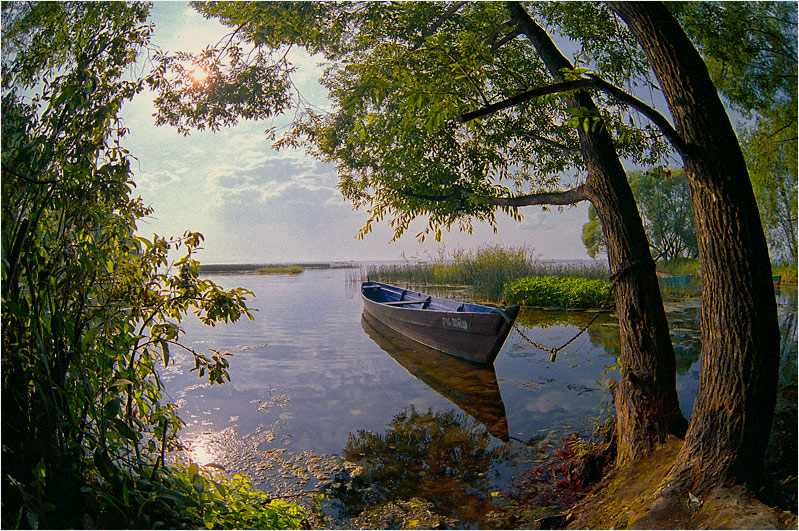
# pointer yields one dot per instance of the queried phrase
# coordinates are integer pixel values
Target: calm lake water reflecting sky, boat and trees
(314, 389)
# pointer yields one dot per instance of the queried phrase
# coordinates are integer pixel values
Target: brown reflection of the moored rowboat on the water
(470, 386)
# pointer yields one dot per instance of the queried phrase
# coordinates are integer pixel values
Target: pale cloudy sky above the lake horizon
(257, 205)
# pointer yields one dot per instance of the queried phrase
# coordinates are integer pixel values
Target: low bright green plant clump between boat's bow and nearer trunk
(567, 292)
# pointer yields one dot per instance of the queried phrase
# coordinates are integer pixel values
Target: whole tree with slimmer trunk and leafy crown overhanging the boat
(409, 85)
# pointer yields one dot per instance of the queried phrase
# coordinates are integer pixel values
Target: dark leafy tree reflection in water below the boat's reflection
(441, 457)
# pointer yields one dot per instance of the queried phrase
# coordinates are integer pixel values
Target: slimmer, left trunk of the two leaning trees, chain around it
(645, 398)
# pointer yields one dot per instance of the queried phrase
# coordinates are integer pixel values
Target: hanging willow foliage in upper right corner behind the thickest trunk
(750, 51)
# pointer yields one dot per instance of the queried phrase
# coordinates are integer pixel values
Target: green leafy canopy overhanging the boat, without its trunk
(400, 75)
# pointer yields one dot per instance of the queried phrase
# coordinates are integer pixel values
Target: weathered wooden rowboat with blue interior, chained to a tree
(470, 331)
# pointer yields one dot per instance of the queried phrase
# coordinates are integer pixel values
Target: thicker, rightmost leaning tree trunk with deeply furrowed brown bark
(734, 407)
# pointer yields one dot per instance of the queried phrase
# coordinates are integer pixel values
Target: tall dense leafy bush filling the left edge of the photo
(90, 310)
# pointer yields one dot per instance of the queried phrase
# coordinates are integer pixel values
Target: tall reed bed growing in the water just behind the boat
(485, 271)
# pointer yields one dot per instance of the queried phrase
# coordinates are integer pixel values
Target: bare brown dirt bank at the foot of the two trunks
(624, 500)
